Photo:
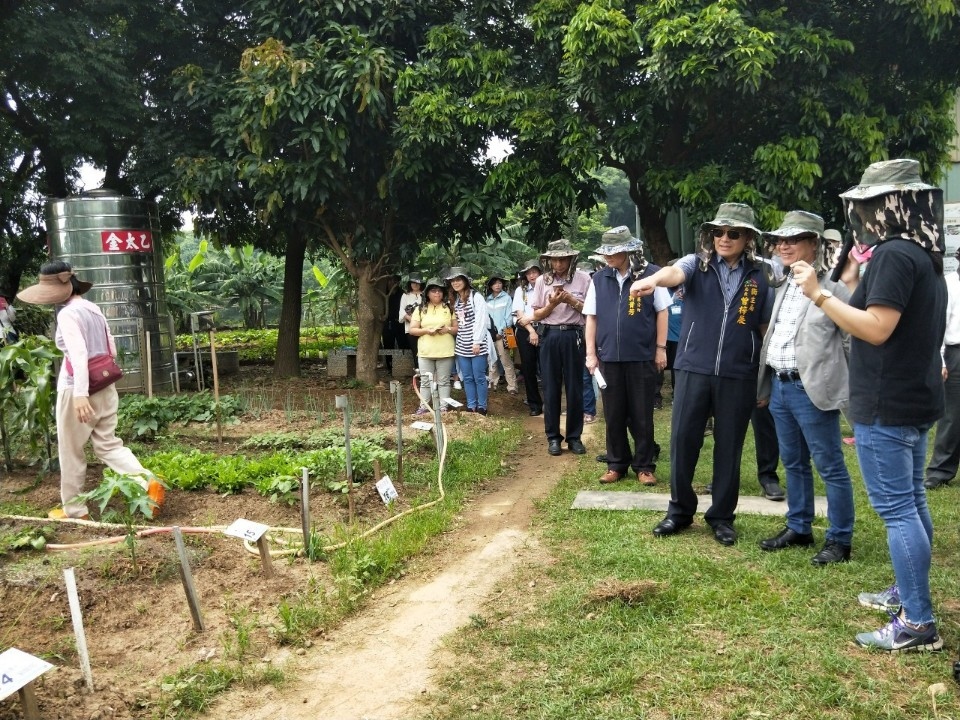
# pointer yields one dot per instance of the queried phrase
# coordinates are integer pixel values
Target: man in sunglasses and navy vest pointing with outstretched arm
(727, 304)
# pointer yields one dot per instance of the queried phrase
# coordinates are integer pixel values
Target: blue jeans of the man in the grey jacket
(805, 431)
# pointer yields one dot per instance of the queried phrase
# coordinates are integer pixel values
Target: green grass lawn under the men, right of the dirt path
(720, 633)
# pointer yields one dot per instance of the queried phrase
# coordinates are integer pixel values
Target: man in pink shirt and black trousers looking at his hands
(557, 305)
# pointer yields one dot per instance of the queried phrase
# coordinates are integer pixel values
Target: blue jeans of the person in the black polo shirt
(892, 459)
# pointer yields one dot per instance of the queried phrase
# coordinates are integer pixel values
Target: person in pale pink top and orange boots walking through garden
(82, 333)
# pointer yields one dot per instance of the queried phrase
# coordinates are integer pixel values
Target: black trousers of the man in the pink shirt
(562, 359)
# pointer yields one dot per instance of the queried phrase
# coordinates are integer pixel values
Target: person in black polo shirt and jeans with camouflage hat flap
(896, 318)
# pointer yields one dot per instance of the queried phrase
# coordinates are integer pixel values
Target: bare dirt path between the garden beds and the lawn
(377, 664)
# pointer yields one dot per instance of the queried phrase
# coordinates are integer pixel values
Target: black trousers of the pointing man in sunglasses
(695, 399)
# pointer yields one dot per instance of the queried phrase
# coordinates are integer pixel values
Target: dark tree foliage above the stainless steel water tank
(90, 81)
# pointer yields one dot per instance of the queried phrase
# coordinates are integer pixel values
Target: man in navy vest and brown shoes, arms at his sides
(627, 341)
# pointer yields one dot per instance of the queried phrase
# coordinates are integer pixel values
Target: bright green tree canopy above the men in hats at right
(699, 102)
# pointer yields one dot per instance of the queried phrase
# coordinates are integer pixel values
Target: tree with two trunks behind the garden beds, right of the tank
(307, 126)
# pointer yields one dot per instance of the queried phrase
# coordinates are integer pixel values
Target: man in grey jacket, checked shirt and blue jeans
(803, 377)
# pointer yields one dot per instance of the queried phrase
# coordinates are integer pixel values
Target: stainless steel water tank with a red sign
(114, 242)
